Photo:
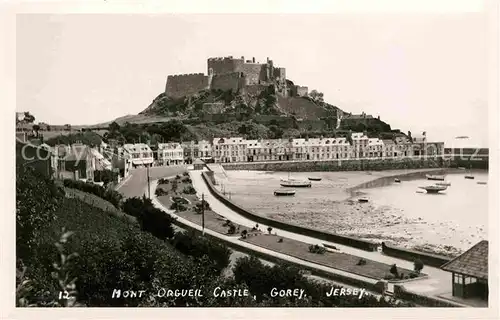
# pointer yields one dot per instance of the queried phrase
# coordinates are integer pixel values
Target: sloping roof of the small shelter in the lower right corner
(473, 262)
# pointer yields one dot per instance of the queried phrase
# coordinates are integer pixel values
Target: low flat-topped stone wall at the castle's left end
(186, 84)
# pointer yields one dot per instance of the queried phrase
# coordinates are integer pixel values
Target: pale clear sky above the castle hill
(418, 72)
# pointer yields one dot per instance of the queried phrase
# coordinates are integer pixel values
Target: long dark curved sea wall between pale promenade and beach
(348, 241)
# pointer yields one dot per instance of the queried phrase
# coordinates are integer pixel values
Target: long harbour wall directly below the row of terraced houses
(338, 165)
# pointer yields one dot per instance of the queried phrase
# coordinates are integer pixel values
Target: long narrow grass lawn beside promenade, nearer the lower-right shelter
(341, 261)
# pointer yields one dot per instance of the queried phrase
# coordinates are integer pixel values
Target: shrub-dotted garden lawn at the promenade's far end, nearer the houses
(213, 221)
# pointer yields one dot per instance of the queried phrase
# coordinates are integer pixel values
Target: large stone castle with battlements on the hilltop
(238, 75)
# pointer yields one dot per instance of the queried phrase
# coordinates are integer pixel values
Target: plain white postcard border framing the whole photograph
(8, 12)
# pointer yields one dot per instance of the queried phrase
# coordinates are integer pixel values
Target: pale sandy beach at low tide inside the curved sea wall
(331, 205)
